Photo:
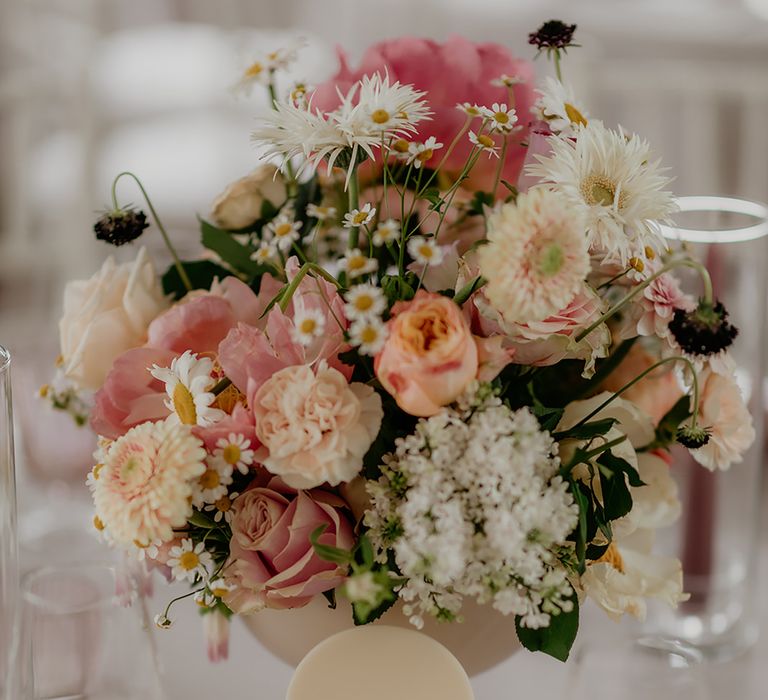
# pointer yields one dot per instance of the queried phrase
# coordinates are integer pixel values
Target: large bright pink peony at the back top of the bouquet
(451, 73)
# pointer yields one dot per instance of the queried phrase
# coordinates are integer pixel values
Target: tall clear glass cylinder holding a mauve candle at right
(717, 538)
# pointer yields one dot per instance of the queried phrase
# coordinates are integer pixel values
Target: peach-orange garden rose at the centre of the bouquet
(430, 355)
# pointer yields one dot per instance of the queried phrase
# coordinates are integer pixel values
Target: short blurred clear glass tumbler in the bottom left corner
(81, 637)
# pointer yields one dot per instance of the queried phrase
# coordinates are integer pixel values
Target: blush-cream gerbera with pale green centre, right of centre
(536, 258)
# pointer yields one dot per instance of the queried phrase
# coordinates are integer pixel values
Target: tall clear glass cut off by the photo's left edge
(8, 543)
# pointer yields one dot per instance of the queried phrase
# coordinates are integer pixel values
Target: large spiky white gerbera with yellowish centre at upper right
(610, 178)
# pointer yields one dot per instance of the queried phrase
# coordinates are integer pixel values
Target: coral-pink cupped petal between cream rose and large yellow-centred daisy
(130, 394)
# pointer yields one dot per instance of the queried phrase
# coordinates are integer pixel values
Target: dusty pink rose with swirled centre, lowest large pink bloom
(272, 562)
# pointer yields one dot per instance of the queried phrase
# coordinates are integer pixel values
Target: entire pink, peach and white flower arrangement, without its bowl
(435, 351)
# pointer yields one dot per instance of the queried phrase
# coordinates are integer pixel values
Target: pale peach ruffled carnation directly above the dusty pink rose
(315, 428)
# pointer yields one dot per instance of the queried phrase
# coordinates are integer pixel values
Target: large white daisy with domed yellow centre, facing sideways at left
(188, 383)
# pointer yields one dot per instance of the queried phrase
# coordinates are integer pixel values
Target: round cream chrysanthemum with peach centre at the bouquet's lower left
(145, 483)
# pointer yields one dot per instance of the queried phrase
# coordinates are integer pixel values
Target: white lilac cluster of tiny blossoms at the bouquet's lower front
(471, 506)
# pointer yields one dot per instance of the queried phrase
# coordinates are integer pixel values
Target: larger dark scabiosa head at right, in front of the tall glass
(703, 331)
